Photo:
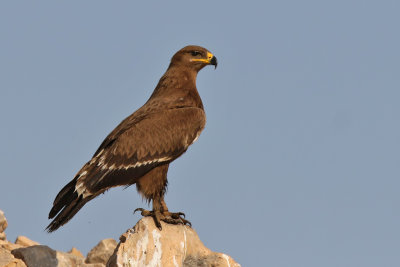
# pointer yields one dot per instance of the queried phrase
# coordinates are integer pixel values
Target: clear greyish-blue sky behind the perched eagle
(298, 165)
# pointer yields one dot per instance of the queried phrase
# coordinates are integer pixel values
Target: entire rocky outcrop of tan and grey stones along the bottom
(142, 245)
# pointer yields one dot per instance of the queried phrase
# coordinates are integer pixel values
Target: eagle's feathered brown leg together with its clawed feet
(152, 186)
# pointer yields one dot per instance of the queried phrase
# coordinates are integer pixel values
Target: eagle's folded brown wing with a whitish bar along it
(132, 151)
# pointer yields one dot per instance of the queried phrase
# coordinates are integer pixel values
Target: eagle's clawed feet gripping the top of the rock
(166, 216)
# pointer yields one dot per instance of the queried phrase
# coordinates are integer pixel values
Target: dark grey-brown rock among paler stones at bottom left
(36, 256)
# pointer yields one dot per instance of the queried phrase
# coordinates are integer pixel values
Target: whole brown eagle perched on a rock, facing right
(140, 149)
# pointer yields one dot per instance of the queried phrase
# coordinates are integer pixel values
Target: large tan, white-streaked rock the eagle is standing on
(175, 245)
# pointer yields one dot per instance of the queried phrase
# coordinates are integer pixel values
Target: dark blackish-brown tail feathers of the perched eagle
(65, 206)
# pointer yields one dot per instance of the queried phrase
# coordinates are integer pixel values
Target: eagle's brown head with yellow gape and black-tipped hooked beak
(194, 57)
